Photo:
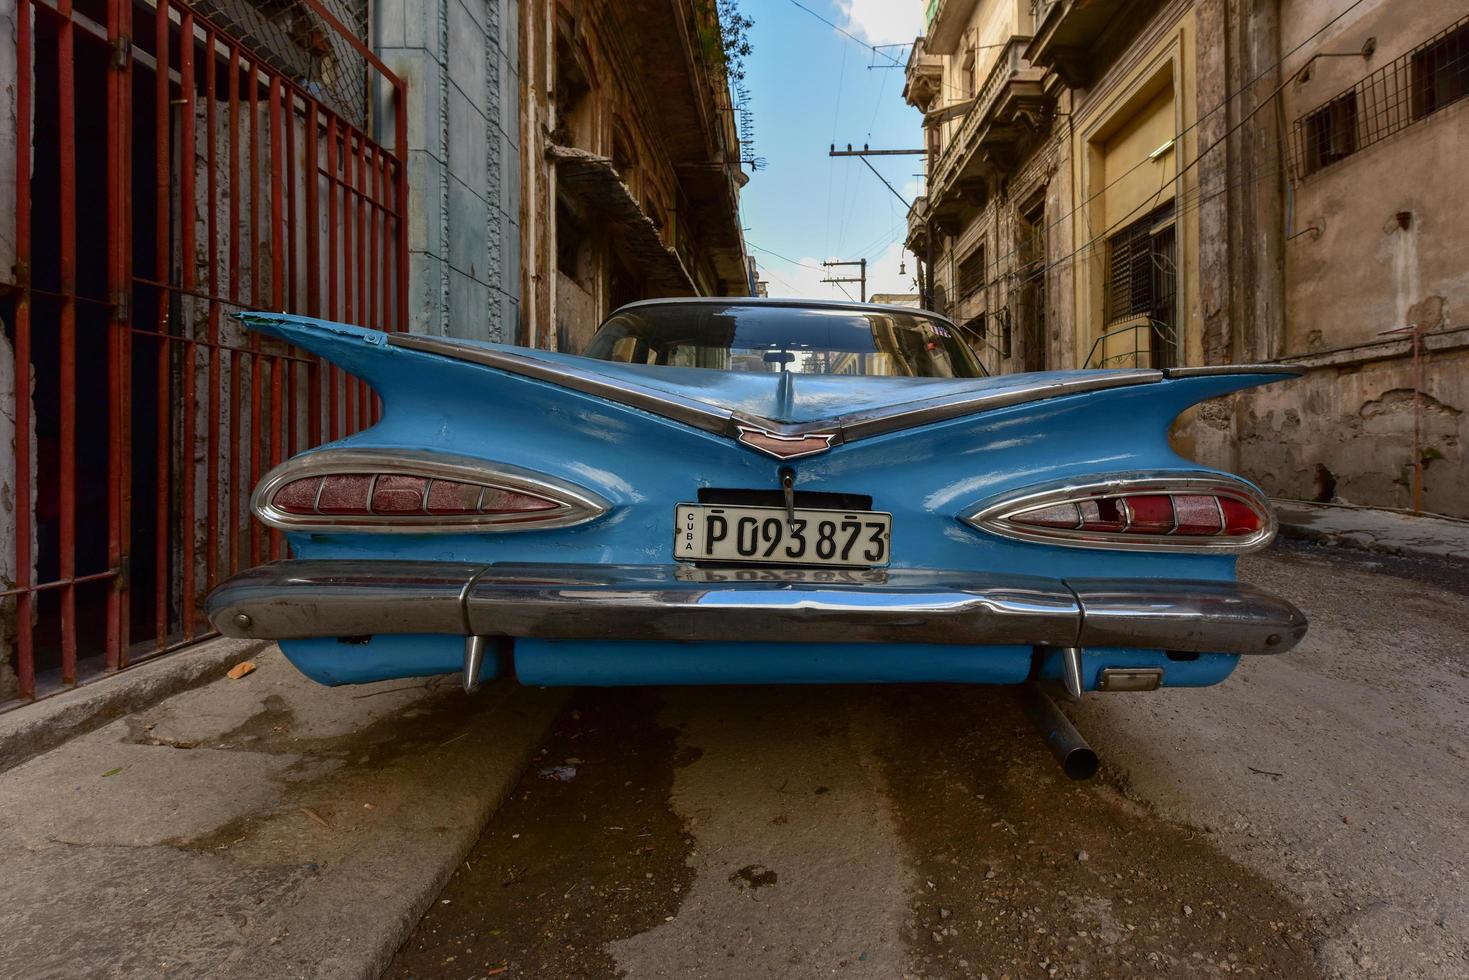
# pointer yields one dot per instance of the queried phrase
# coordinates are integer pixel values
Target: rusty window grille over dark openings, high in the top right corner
(1432, 77)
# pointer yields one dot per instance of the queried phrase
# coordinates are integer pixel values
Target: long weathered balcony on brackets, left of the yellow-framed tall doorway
(1007, 112)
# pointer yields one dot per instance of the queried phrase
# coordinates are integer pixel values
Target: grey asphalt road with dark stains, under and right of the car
(1310, 818)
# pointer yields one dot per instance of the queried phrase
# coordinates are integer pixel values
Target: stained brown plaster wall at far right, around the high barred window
(1374, 243)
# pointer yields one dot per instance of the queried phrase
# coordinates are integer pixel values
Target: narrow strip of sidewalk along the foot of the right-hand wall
(1373, 530)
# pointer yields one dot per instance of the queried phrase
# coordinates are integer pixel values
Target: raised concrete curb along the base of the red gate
(35, 729)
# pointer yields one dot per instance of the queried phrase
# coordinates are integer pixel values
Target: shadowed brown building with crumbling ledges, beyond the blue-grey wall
(631, 161)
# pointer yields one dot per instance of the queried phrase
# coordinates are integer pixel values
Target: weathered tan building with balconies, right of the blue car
(1219, 183)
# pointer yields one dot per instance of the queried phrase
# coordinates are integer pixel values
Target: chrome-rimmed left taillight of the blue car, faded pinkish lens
(403, 490)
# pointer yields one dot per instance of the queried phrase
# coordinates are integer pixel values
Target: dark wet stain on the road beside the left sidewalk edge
(566, 868)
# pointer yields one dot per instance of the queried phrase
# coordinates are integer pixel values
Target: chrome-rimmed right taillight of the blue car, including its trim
(1189, 512)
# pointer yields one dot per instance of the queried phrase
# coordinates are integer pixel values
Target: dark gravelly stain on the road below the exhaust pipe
(1026, 873)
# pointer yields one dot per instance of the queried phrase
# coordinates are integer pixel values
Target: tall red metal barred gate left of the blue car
(167, 176)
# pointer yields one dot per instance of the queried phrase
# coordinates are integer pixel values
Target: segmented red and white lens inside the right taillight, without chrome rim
(1154, 518)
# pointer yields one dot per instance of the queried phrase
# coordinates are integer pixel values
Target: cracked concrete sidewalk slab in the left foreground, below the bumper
(255, 828)
